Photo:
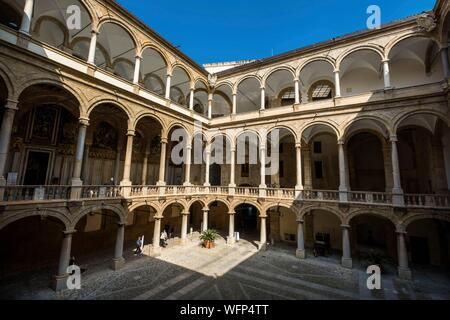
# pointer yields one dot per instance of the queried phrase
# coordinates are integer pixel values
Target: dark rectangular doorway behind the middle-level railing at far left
(36, 170)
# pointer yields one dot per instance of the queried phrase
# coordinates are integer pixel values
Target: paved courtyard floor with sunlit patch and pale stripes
(224, 272)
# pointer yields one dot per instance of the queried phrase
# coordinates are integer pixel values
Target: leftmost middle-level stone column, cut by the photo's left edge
(5, 137)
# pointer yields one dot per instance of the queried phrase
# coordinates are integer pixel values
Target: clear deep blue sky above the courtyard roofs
(214, 31)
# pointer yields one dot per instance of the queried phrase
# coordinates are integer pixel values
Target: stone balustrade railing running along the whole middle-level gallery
(10, 194)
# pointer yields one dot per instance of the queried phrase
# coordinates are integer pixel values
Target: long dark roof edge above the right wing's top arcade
(321, 45)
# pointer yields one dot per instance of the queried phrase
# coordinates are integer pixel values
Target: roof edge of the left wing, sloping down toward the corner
(155, 34)
